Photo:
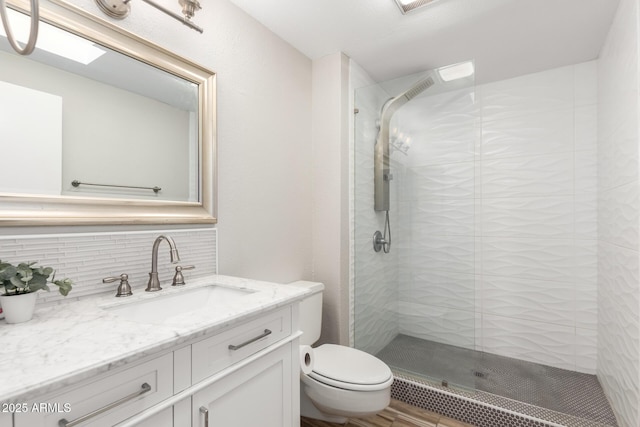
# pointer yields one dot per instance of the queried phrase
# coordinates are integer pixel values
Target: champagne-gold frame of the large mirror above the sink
(30, 210)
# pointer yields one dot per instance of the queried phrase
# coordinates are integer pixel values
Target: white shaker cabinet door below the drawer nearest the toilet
(259, 394)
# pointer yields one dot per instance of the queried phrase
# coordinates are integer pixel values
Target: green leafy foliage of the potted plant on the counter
(26, 278)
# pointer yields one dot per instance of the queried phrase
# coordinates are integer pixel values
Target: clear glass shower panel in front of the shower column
(415, 306)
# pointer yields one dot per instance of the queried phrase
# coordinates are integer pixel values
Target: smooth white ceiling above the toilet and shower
(506, 38)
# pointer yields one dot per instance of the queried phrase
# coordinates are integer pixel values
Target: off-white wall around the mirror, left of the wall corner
(263, 135)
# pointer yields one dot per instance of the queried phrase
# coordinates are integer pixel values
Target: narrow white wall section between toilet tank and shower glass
(330, 227)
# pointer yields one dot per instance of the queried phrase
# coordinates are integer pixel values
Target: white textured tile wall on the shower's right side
(618, 206)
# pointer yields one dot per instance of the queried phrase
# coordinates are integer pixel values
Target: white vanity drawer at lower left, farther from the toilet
(122, 393)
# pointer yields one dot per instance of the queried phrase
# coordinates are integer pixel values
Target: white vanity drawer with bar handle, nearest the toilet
(213, 354)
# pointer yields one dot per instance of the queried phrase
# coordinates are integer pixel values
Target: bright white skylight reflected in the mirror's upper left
(56, 41)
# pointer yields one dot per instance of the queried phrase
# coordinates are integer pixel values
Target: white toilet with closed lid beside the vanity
(344, 382)
